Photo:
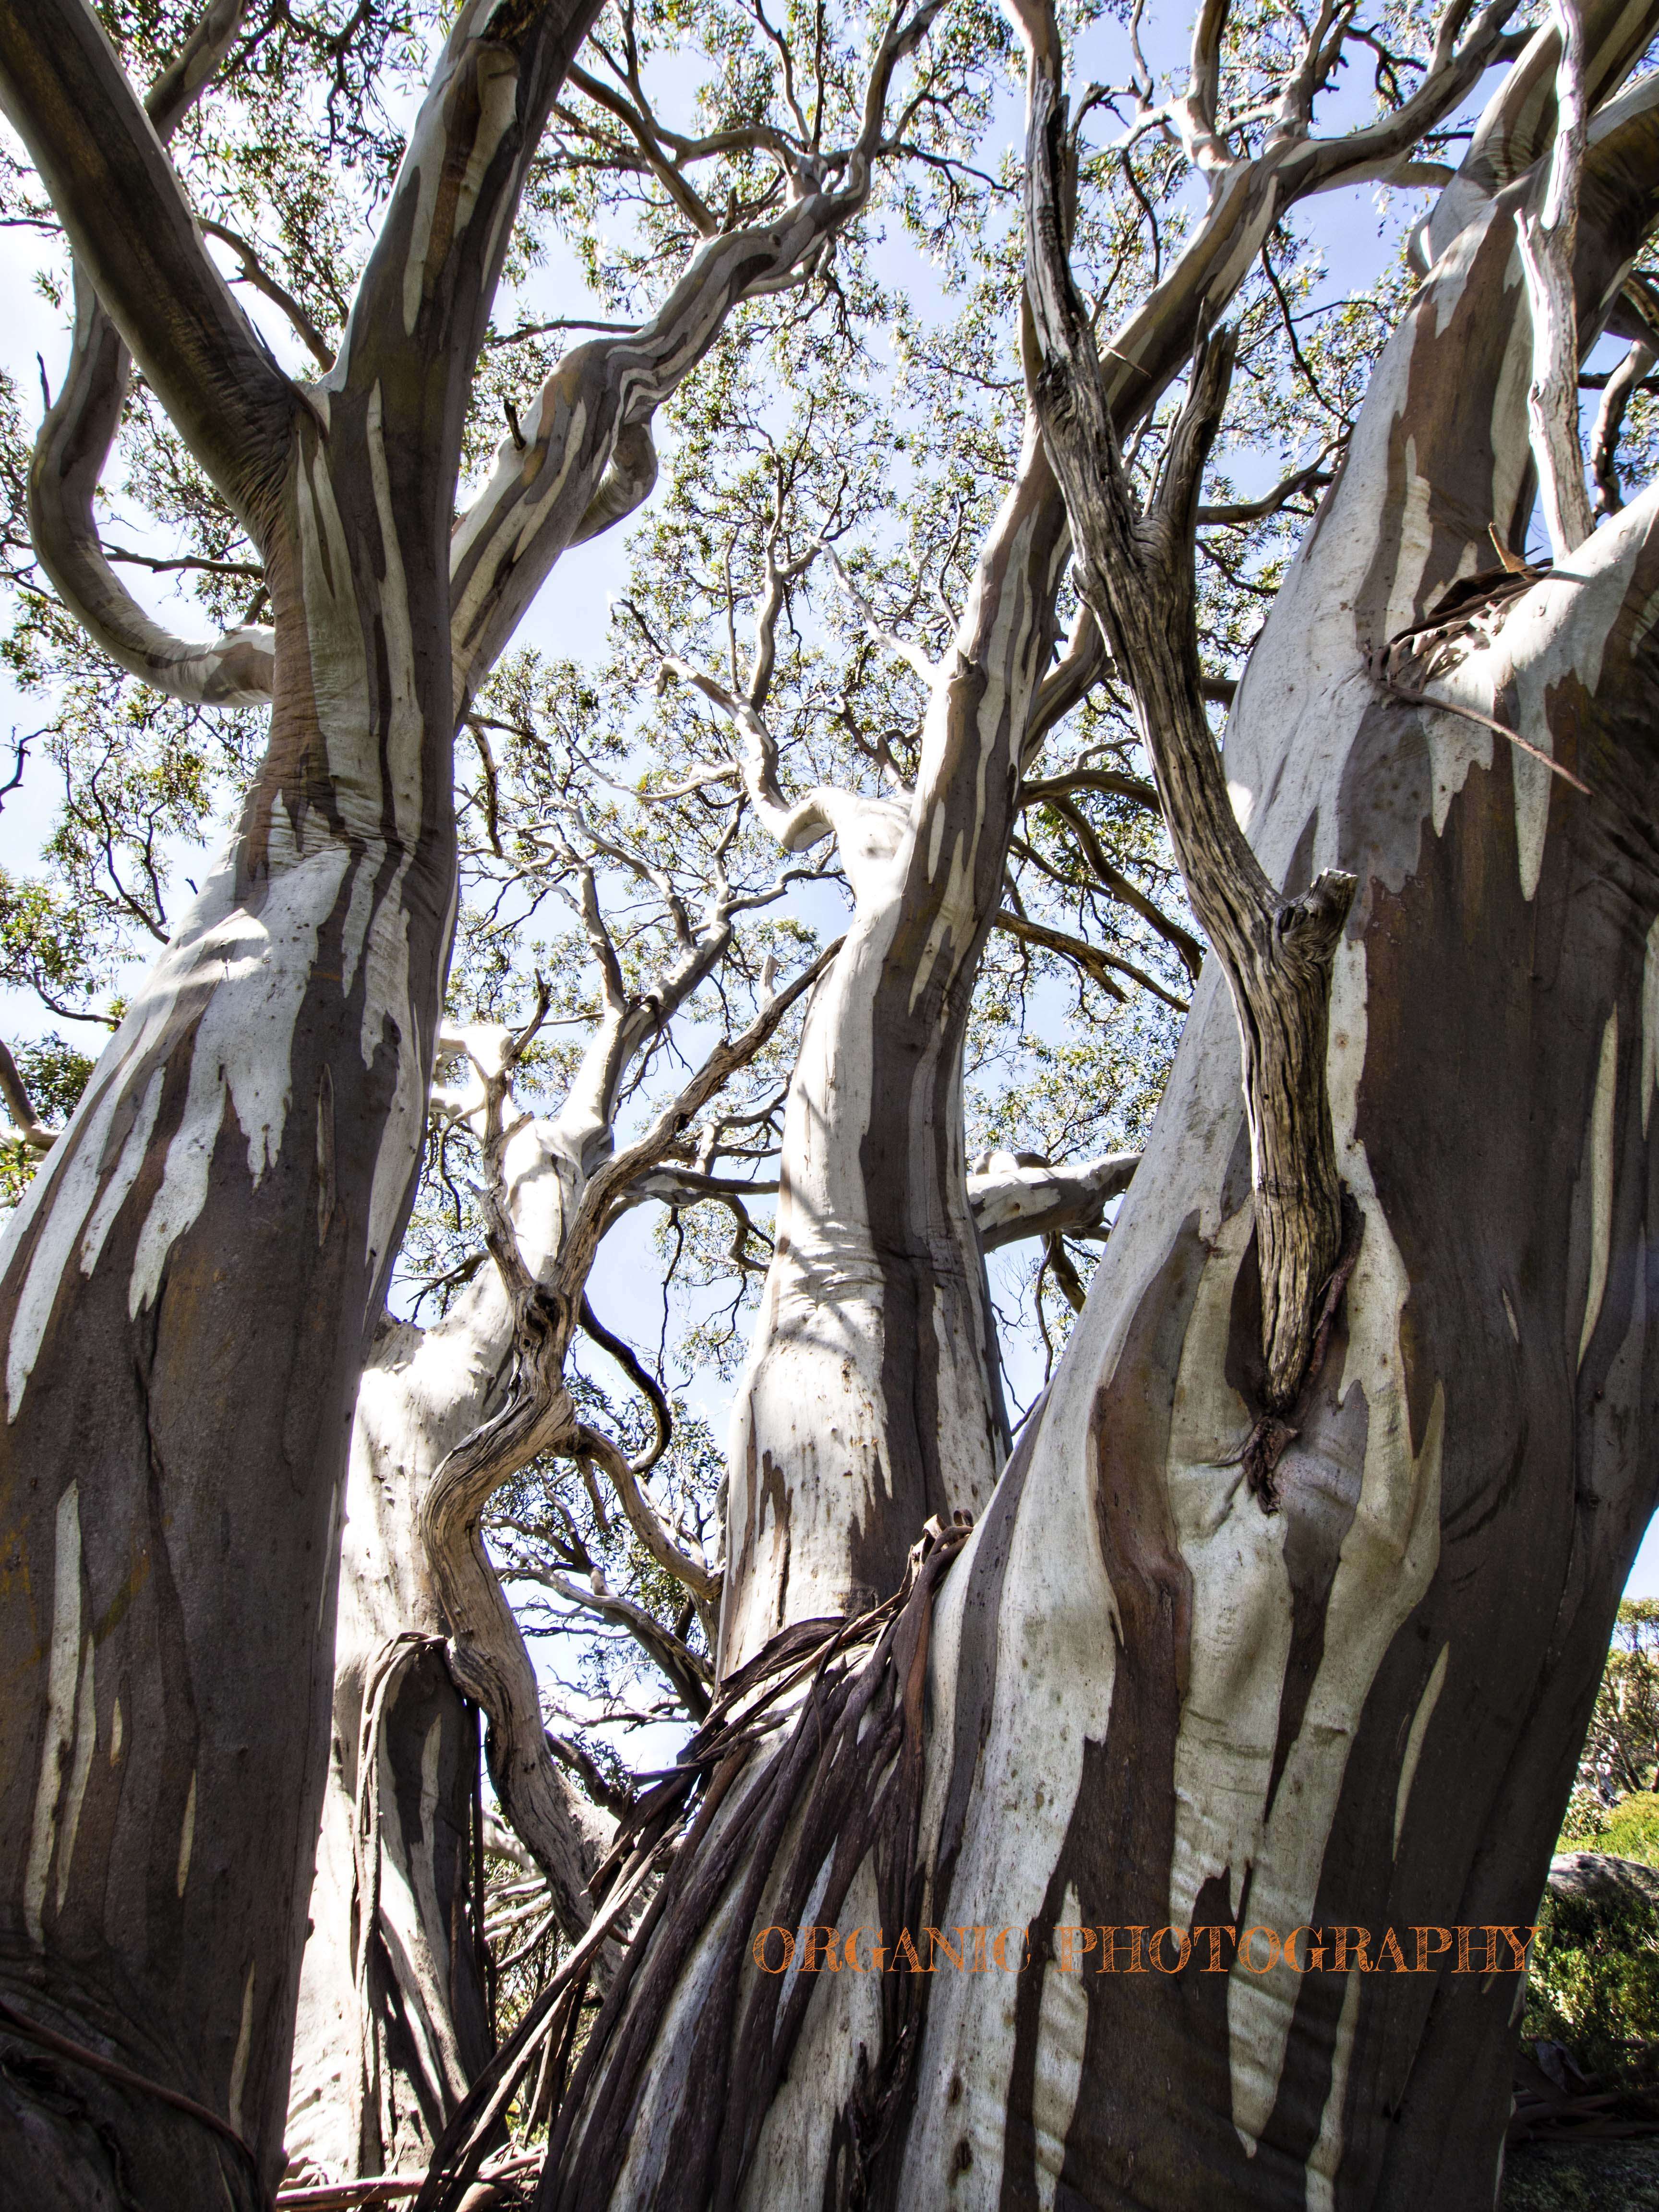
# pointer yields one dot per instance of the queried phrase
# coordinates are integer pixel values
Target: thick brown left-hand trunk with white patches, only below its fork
(238, 1176)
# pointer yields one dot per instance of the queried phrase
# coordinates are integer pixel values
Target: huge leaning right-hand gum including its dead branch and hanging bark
(1291, 1607)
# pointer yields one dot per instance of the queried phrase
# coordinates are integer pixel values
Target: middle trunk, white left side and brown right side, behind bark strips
(873, 1395)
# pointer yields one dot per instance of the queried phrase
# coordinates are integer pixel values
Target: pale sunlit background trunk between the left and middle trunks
(390, 2023)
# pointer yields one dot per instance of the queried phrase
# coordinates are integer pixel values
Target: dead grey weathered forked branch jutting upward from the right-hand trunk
(1136, 574)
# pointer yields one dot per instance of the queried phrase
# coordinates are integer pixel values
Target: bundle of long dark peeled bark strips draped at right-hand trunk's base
(751, 1839)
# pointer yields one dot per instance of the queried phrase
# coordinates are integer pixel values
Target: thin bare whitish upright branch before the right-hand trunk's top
(1547, 242)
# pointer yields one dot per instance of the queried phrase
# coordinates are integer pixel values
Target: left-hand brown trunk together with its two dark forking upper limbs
(158, 1804)
